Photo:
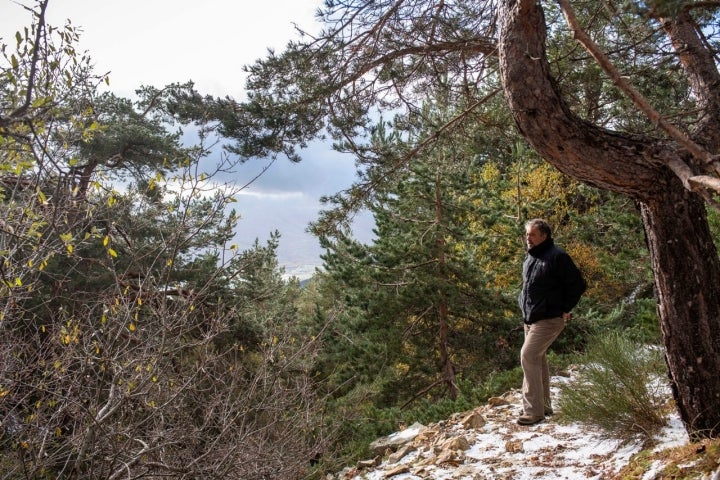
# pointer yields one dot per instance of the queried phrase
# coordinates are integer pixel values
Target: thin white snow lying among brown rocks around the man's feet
(500, 449)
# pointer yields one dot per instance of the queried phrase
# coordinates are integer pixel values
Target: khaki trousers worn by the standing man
(533, 358)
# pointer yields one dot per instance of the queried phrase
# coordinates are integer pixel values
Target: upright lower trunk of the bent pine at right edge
(687, 276)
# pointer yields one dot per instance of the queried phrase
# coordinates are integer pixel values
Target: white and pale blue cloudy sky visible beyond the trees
(157, 42)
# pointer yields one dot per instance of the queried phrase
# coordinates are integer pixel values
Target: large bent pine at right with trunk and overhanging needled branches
(620, 95)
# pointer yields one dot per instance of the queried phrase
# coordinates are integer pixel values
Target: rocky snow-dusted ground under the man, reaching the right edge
(487, 443)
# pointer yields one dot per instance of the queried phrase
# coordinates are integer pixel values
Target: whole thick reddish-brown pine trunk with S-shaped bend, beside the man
(684, 260)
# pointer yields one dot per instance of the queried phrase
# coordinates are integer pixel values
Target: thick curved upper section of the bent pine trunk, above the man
(621, 162)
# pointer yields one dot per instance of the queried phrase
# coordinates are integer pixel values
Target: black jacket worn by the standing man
(552, 284)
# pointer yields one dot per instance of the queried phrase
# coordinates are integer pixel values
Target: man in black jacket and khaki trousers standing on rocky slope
(552, 286)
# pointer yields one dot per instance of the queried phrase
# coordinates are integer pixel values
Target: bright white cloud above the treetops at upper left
(157, 42)
